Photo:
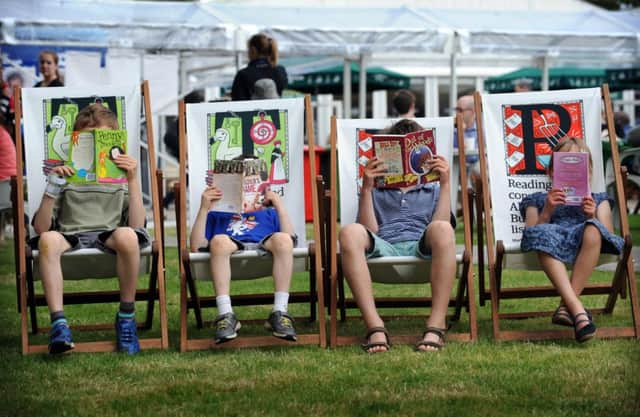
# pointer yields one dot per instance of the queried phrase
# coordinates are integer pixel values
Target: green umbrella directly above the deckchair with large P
(560, 78)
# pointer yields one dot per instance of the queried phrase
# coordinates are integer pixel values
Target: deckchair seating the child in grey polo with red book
(392, 270)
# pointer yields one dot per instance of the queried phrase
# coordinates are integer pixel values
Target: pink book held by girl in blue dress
(571, 175)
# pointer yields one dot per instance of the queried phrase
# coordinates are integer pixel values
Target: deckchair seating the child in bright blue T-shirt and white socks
(246, 127)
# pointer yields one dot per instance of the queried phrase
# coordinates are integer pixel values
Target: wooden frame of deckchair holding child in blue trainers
(28, 299)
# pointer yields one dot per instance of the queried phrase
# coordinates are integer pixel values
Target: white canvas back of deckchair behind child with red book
(354, 152)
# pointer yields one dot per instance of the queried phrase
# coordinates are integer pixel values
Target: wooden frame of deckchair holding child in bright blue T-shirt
(189, 298)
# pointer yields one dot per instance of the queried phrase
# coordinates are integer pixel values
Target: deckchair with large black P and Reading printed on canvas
(516, 134)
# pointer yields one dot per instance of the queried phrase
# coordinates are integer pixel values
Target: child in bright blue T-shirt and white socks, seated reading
(223, 233)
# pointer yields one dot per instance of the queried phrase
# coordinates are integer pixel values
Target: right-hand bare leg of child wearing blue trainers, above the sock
(124, 242)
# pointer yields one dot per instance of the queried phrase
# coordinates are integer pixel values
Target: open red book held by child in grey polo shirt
(405, 157)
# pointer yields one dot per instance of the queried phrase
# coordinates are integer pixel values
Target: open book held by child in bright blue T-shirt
(242, 183)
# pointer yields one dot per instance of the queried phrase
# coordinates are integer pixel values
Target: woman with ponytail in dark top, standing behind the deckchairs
(262, 78)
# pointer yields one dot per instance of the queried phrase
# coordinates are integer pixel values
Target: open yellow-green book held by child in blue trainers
(92, 154)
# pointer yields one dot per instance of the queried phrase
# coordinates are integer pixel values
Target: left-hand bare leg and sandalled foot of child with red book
(354, 241)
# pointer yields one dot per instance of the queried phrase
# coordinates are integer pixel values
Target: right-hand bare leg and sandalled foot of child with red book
(441, 239)
